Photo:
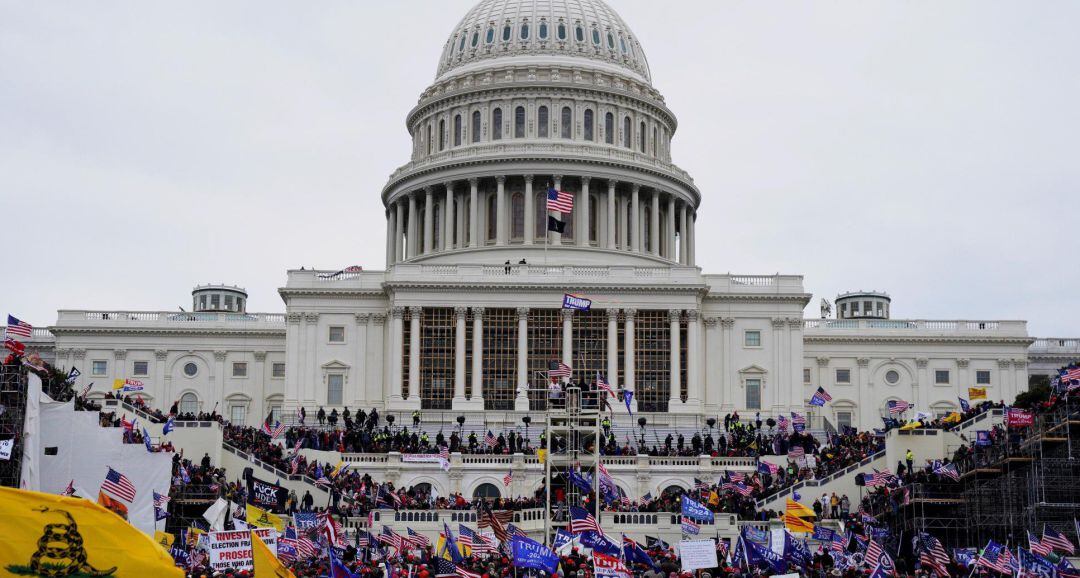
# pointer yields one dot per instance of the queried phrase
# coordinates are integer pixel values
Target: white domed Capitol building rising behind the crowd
(465, 317)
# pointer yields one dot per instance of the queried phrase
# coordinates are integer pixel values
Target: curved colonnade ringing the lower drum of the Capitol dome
(510, 211)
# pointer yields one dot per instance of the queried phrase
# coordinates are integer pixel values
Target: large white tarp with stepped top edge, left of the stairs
(85, 451)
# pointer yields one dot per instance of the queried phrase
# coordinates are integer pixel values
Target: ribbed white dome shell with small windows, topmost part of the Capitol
(574, 33)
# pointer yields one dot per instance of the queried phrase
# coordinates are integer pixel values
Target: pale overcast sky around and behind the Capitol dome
(926, 149)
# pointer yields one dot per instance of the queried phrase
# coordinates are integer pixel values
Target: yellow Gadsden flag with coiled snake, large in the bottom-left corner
(47, 535)
